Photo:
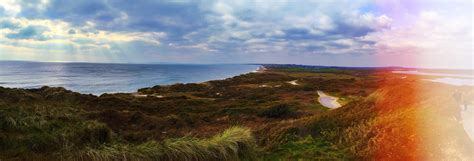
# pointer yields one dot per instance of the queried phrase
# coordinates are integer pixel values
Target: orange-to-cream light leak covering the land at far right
(422, 120)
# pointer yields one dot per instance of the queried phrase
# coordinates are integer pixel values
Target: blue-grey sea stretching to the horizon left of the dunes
(100, 78)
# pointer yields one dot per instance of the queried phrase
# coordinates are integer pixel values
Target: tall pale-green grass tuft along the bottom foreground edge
(235, 143)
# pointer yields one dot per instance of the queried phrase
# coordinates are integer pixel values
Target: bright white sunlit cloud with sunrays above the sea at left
(68, 42)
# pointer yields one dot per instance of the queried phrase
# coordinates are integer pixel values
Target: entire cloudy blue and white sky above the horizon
(410, 33)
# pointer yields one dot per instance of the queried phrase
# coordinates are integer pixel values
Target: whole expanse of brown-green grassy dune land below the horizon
(255, 116)
